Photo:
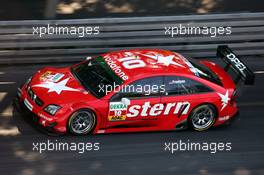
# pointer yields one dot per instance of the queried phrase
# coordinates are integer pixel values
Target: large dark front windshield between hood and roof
(95, 75)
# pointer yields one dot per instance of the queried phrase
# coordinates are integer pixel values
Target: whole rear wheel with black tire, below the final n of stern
(202, 117)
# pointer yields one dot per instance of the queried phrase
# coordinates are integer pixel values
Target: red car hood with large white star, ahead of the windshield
(58, 86)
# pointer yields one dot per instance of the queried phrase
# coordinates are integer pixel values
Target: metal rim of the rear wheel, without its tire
(203, 118)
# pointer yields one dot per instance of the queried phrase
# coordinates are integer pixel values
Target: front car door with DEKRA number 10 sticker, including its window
(131, 106)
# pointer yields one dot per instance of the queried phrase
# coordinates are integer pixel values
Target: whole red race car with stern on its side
(135, 90)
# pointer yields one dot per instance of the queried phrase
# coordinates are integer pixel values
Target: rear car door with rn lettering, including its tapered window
(180, 96)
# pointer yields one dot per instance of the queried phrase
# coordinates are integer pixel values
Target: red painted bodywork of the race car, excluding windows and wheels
(77, 97)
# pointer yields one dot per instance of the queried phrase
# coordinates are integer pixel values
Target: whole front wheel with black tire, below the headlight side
(82, 122)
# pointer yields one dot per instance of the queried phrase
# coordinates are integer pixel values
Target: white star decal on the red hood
(56, 87)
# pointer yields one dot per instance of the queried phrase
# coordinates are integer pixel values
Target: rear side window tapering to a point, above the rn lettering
(176, 85)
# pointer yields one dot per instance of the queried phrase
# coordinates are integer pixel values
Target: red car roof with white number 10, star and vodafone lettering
(155, 62)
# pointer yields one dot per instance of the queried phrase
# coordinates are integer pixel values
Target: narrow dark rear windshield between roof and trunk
(205, 73)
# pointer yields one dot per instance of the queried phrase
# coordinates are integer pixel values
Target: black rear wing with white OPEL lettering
(232, 61)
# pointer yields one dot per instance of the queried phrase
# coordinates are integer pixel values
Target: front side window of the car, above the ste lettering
(147, 87)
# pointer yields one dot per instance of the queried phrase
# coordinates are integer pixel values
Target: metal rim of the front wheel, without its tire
(82, 122)
